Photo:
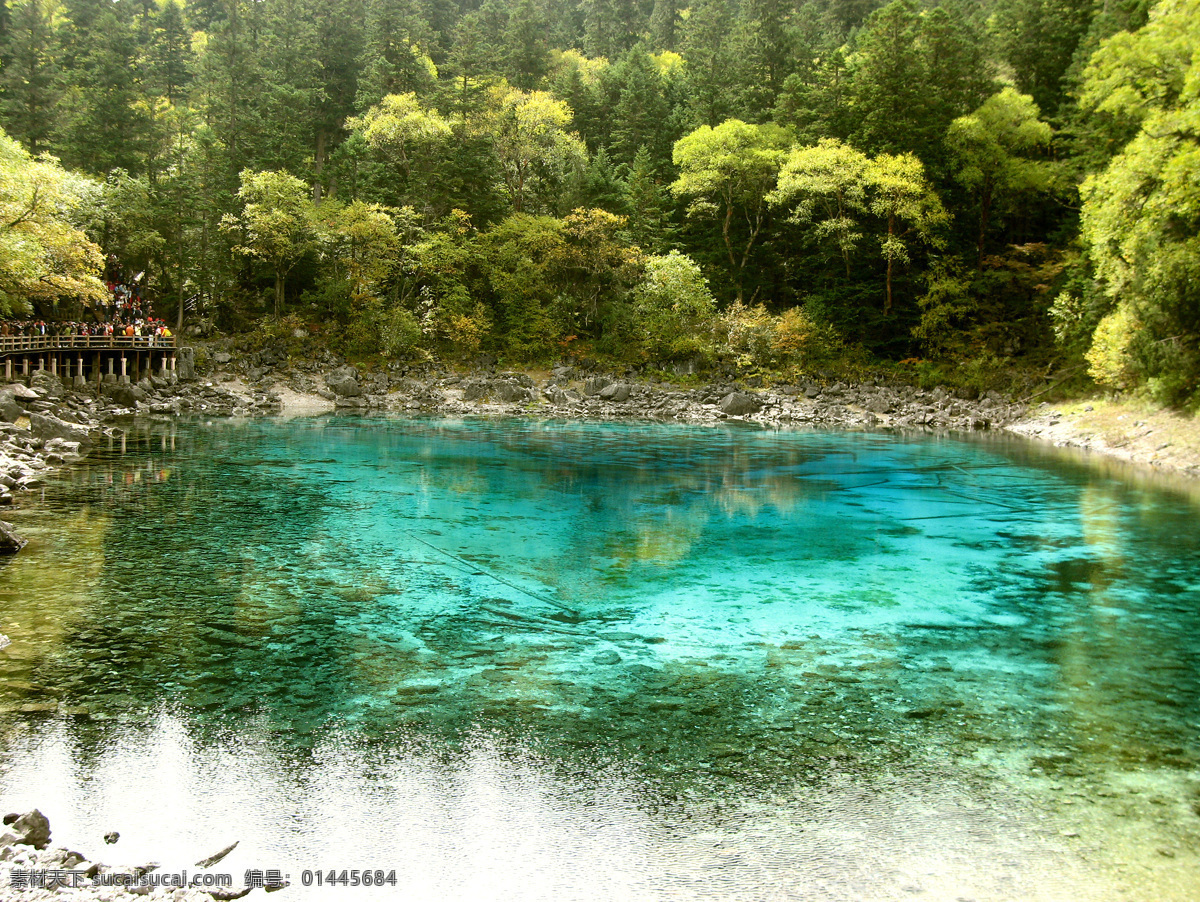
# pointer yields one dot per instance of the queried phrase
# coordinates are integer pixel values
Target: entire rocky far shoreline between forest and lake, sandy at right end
(45, 425)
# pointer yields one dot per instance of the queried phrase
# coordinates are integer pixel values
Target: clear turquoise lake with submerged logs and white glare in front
(535, 660)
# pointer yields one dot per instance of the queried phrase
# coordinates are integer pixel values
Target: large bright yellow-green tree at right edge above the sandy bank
(1142, 214)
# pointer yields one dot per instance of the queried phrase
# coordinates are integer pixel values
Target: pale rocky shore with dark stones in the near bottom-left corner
(33, 871)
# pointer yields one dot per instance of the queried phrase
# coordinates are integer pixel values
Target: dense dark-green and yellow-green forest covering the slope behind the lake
(764, 184)
